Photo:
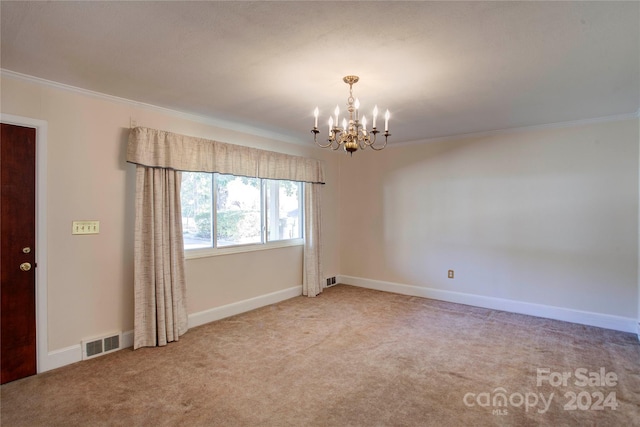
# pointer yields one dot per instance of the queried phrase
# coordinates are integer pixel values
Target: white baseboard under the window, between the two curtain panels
(217, 313)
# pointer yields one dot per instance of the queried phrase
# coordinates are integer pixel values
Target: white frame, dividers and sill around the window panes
(265, 244)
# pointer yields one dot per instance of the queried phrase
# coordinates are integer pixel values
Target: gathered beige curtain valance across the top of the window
(161, 149)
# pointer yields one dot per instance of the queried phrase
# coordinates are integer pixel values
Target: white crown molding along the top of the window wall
(220, 123)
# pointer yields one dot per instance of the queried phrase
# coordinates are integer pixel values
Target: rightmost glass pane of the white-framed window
(284, 211)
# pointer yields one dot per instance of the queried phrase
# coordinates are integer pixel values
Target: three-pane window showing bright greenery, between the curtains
(248, 211)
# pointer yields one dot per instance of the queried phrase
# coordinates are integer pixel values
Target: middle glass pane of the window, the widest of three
(238, 219)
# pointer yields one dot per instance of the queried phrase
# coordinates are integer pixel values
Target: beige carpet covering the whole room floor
(350, 357)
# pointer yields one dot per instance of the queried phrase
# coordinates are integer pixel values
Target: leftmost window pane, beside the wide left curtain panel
(195, 195)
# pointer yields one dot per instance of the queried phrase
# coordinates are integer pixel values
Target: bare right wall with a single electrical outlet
(545, 217)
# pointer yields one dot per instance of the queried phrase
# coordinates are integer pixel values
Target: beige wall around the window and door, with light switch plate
(90, 278)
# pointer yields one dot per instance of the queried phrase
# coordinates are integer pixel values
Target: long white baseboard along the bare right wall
(600, 320)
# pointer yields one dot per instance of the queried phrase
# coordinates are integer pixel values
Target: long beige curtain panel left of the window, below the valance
(159, 279)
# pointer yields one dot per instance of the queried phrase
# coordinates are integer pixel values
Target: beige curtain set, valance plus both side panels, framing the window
(159, 282)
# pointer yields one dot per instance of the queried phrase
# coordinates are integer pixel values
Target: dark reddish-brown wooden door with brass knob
(17, 253)
